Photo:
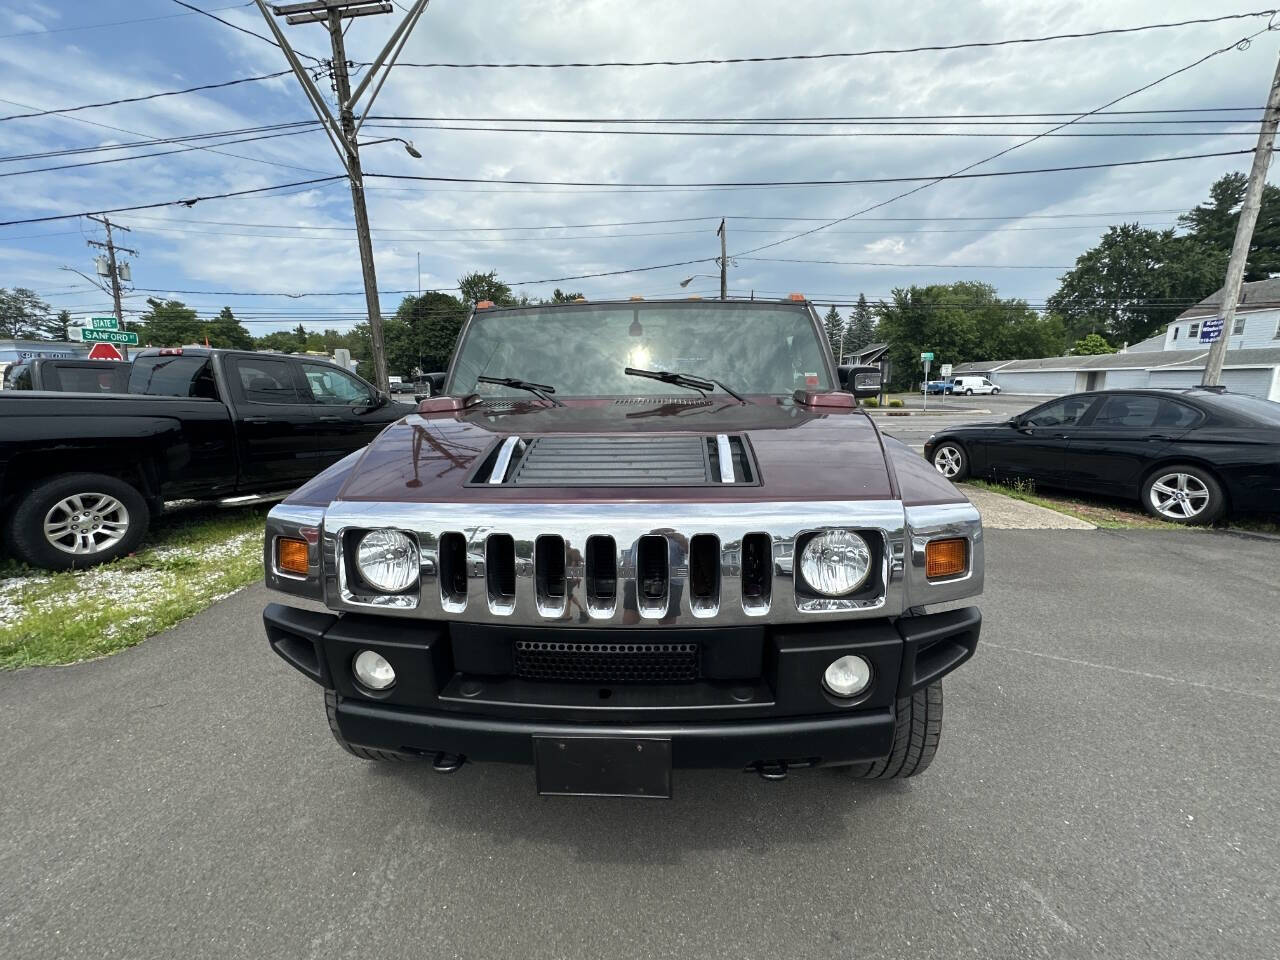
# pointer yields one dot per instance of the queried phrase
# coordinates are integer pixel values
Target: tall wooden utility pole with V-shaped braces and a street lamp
(342, 130)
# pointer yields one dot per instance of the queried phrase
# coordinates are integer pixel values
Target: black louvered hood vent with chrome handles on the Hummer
(638, 460)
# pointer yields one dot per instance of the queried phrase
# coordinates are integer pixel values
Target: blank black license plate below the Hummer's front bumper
(604, 766)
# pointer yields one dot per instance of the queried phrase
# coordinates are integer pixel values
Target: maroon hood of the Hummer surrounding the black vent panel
(802, 454)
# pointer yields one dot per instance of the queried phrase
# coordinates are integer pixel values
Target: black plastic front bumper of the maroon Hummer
(765, 707)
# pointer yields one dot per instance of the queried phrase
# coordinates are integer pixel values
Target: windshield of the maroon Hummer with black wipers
(582, 350)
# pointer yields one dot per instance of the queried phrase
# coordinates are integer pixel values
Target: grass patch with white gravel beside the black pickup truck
(191, 559)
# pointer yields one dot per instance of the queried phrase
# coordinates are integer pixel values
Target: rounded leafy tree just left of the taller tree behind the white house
(1136, 281)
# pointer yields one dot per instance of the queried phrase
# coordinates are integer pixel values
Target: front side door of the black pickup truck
(348, 412)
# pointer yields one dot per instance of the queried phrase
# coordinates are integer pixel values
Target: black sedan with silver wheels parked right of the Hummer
(1190, 455)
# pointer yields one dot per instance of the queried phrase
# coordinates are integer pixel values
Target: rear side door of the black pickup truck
(275, 427)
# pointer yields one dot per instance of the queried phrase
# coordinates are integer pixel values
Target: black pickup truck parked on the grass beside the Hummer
(83, 474)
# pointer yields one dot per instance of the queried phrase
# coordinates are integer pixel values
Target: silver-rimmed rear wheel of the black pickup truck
(79, 520)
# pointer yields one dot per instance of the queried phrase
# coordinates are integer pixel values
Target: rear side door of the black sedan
(1126, 435)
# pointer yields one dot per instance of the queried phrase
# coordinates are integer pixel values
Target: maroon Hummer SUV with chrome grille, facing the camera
(627, 538)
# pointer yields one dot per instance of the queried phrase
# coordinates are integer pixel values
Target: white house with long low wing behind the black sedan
(1174, 358)
